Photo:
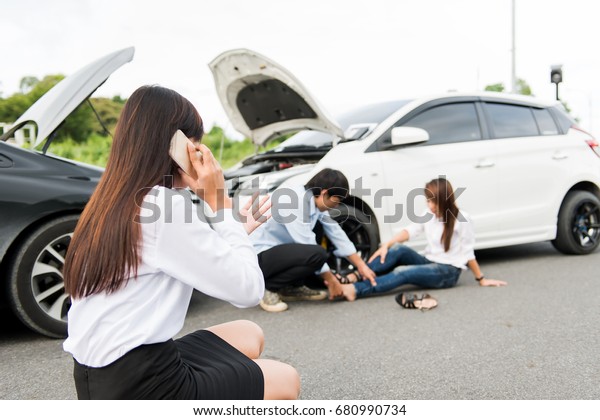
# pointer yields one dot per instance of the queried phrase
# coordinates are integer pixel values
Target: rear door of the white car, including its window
(533, 161)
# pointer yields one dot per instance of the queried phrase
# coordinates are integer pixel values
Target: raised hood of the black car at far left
(54, 106)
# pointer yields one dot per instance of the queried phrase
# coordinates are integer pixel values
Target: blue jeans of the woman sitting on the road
(404, 266)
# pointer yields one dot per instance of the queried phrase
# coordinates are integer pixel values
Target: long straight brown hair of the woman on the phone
(105, 245)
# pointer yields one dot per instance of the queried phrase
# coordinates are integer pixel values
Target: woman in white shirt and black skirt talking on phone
(139, 250)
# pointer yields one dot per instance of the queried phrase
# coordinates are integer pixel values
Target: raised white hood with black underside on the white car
(263, 100)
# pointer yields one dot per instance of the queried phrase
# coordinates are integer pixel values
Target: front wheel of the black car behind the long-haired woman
(36, 289)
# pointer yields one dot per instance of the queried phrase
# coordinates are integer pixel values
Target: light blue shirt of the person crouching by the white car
(294, 216)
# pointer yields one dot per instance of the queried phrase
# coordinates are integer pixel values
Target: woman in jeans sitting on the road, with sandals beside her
(450, 241)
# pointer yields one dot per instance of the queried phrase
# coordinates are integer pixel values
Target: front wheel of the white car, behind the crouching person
(360, 230)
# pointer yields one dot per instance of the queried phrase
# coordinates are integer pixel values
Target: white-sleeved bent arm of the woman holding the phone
(215, 258)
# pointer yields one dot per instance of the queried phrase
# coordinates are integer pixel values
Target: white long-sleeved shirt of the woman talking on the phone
(180, 251)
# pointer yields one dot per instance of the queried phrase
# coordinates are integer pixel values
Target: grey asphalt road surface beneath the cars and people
(535, 339)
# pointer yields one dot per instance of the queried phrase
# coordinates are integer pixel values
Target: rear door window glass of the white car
(511, 120)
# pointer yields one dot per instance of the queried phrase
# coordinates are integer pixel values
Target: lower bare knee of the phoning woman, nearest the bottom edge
(282, 381)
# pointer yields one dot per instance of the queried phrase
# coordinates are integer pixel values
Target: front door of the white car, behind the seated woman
(458, 149)
